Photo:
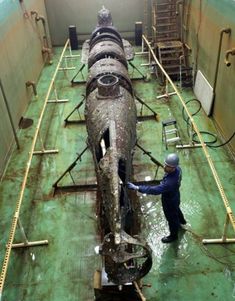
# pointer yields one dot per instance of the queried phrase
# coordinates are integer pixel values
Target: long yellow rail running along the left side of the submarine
(21, 195)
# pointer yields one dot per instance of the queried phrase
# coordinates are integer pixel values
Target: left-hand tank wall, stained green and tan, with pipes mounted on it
(21, 61)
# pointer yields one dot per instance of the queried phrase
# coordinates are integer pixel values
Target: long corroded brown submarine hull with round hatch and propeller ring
(111, 124)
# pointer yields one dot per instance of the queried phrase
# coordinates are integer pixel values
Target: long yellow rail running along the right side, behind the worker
(204, 147)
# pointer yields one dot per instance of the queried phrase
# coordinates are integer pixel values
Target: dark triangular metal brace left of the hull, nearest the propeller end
(75, 187)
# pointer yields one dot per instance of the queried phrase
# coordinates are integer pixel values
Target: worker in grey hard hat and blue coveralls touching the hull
(169, 189)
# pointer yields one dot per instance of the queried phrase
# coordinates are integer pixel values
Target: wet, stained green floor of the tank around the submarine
(63, 270)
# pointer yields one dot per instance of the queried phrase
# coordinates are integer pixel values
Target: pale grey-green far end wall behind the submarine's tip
(83, 14)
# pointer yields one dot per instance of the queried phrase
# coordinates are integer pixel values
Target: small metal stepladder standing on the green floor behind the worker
(170, 132)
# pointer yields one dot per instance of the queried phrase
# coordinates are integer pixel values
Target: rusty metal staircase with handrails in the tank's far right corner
(166, 30)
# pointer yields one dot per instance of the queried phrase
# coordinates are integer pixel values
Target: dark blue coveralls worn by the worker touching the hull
(169, 189)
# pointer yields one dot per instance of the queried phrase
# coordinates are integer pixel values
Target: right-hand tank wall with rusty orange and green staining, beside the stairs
(206, 19)
